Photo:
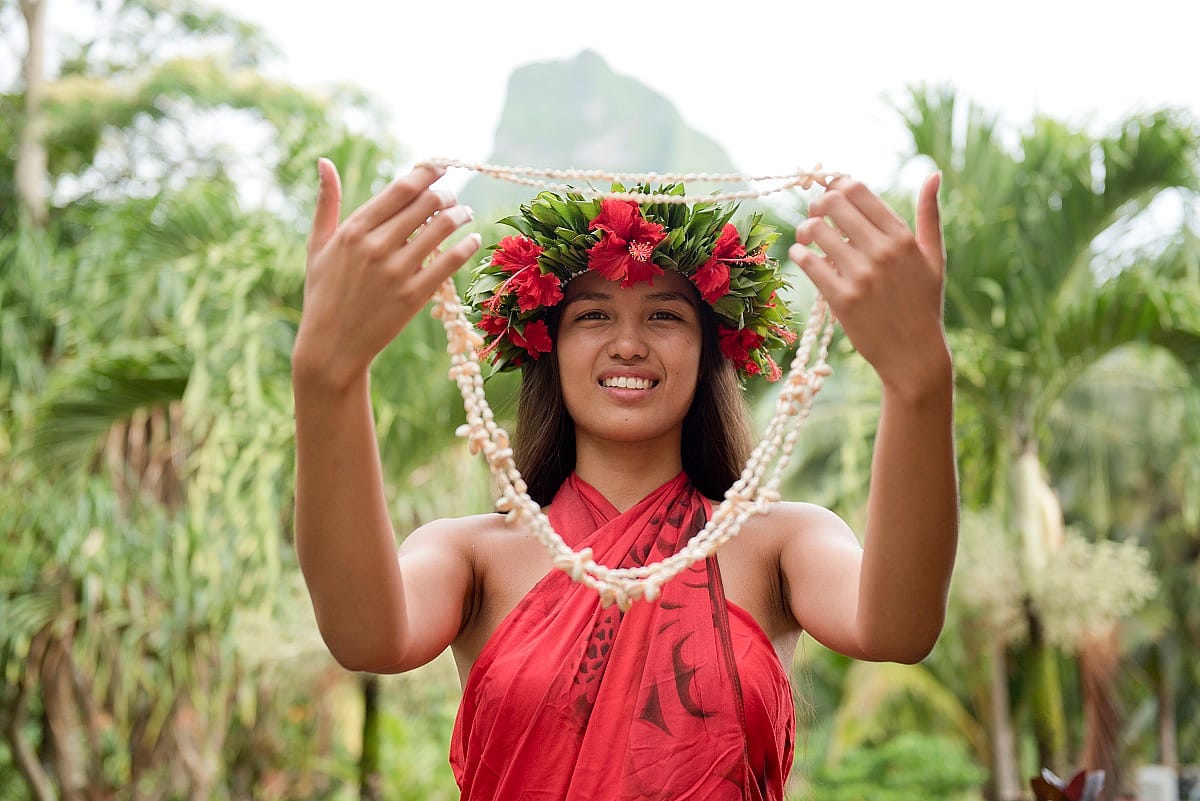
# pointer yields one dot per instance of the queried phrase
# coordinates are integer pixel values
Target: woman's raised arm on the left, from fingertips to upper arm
(364, 282)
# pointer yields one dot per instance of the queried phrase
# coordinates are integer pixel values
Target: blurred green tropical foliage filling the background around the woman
(155, 636)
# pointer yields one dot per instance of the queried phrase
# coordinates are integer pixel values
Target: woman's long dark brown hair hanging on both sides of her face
(717, 431)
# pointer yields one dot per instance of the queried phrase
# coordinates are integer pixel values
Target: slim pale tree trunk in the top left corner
(32, 162)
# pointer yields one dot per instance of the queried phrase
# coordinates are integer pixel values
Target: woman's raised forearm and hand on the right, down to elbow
(885, 284)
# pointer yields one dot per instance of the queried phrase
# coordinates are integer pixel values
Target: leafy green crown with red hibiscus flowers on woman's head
(563, 237)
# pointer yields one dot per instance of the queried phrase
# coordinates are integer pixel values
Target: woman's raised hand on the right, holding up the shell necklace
(883, 281)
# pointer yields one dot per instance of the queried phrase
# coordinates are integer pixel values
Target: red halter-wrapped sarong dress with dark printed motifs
(679, 700)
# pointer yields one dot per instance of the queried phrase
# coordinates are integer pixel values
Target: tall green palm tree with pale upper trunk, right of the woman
(1035, 300)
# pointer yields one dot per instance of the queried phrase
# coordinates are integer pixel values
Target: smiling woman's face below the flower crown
(628, 359)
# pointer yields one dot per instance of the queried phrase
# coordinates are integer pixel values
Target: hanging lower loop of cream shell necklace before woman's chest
(752, 495)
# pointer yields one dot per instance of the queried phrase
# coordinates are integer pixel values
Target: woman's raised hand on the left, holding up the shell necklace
(365, 278)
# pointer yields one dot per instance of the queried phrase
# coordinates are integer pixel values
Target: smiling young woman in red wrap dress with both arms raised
(631, 426)
